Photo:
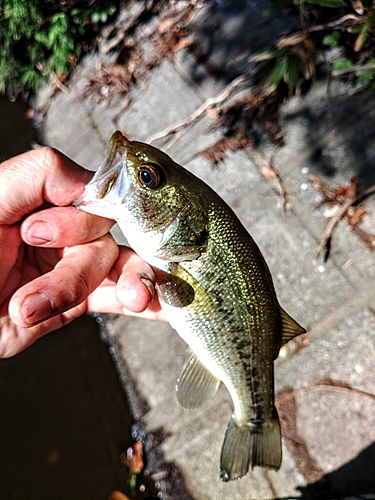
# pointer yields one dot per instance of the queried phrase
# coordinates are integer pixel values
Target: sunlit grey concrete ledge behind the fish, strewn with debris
(324, 382)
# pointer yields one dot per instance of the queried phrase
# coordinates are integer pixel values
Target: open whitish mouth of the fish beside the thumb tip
(106, 191)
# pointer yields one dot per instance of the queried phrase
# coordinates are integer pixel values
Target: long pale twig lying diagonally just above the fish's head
(209, 103)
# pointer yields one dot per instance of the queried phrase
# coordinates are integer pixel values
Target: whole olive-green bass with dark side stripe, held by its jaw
(214, 286)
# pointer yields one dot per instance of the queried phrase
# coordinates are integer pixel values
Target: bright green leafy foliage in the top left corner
(41, 38)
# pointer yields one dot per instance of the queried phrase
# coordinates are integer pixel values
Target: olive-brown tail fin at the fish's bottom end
(247, 445)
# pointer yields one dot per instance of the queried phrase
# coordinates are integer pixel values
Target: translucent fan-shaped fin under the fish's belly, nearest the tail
(196, 384)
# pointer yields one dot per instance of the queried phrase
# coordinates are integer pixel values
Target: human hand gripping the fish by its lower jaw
(56, 261)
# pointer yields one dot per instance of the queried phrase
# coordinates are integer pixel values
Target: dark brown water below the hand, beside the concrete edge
(64, 419)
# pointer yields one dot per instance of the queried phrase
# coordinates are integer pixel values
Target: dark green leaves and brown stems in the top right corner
(345, 28)
